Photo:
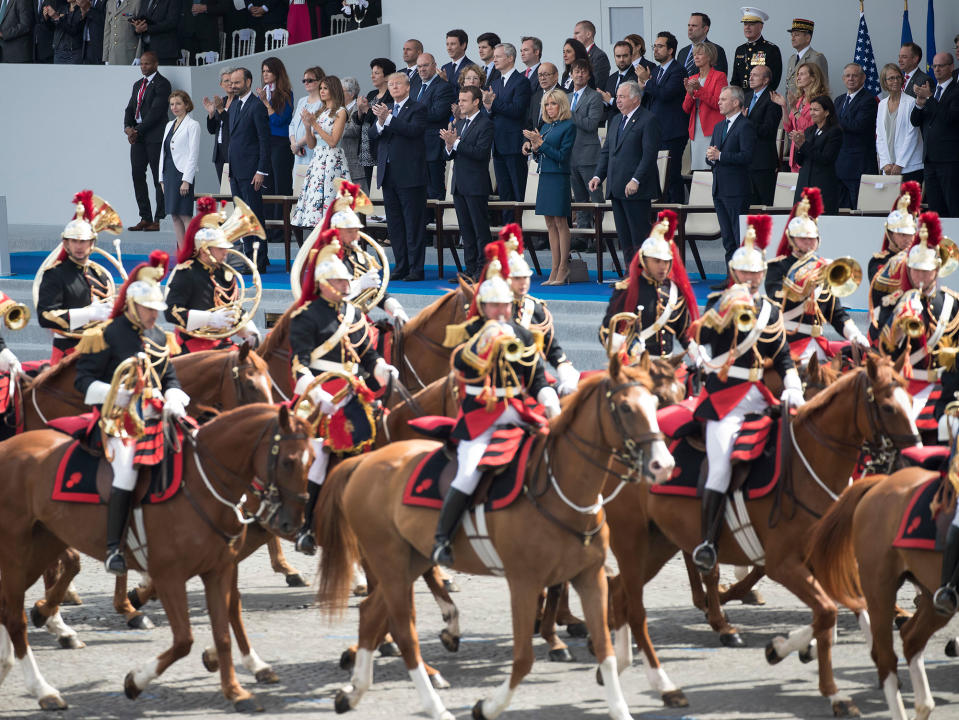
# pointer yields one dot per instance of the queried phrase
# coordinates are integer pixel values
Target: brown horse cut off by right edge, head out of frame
(853, 557)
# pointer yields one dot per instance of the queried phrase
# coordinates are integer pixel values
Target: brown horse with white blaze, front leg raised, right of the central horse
(868, 405)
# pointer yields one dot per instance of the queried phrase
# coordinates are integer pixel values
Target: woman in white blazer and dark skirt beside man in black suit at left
(178, 161)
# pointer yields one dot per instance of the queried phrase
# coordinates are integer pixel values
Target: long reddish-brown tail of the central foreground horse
(337, 540)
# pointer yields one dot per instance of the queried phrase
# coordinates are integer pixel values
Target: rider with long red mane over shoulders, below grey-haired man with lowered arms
(658, 291)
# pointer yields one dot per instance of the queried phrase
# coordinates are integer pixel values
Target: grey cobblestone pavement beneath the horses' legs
(304, 648)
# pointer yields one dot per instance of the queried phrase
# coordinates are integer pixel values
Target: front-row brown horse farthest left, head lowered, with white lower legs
(255, 448)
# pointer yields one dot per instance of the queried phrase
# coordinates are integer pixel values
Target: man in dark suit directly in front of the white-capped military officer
(765, 116)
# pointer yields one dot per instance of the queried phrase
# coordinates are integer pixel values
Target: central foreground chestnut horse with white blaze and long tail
(553, 532)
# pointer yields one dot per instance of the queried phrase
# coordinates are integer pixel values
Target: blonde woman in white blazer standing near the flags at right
(898, 142)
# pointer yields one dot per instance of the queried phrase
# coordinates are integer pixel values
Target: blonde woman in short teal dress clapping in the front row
(551, 147)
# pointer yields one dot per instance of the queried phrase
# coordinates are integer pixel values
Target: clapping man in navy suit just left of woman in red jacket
(663, 90)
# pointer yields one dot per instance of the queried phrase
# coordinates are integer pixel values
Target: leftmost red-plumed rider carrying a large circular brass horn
(73, 292)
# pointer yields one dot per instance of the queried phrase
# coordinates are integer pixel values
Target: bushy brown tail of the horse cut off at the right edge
(830, 552)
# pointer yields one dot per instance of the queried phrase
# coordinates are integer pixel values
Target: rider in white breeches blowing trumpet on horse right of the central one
(741, 331)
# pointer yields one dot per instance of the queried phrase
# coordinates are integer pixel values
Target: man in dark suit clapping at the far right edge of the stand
(937, 113)
